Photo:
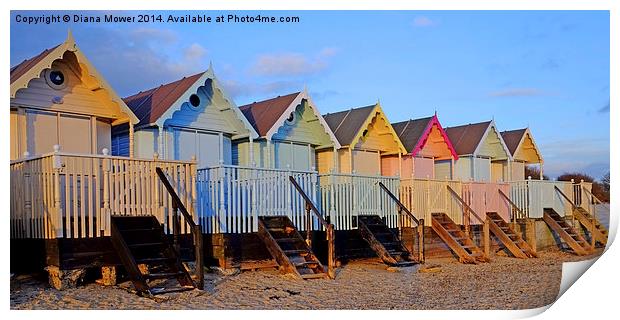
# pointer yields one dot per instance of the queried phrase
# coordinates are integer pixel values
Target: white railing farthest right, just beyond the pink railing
(533, 196)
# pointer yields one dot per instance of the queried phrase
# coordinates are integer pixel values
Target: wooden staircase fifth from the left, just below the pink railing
(510, 238)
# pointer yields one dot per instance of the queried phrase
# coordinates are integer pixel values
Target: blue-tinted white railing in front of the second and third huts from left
(232, 197)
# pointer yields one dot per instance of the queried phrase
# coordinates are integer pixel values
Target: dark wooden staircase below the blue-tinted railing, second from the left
(288, 248)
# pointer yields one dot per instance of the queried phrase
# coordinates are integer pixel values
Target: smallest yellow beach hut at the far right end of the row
(523, 151)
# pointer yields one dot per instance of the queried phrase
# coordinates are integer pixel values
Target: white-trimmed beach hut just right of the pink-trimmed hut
(481, 150)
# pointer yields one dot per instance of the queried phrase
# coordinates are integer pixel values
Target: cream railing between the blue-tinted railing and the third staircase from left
(346, 196)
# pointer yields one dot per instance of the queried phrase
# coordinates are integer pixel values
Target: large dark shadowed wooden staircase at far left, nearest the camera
(141, 240)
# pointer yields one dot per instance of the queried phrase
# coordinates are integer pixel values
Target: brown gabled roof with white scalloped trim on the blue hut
(154, 106)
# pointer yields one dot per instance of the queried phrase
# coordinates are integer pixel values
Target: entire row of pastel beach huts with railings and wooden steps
(142, 185)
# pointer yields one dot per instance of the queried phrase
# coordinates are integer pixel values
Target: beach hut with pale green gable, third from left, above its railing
(290, 133)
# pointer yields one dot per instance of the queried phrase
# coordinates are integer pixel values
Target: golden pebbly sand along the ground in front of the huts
(505, 283)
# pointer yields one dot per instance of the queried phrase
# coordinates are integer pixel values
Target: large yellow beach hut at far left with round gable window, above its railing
(59, 98)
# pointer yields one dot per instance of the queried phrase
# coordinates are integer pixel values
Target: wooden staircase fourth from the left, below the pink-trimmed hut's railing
(462, 245)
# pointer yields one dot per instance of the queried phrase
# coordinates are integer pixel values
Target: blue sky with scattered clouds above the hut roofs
(548, 70)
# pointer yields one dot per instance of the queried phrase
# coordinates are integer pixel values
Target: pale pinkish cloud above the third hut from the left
(292, 63)
